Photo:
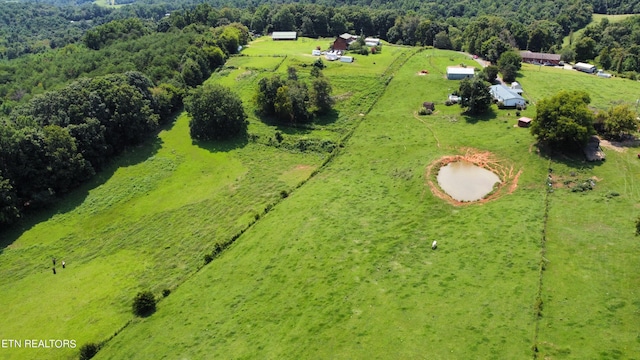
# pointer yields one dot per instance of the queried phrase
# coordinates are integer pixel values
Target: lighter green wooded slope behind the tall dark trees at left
(180, 57)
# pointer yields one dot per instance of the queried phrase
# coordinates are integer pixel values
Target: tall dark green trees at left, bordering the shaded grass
(59, 139)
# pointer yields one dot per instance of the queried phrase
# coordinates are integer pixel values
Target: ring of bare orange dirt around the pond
(505, 171)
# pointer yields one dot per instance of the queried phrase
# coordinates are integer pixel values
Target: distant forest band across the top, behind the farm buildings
(481, 27)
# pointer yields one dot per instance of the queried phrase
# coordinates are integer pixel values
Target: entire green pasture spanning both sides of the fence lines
(341, 268)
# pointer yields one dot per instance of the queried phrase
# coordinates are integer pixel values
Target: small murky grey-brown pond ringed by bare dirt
(465, 181)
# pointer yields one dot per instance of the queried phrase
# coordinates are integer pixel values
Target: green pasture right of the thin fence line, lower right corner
(591, 286)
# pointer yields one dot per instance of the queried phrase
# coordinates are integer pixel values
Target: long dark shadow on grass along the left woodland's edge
(67, 202)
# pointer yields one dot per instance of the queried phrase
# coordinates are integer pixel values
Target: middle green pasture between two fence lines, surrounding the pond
(343, 268)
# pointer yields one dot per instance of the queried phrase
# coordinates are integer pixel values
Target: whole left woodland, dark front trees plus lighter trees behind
(53, 140)
